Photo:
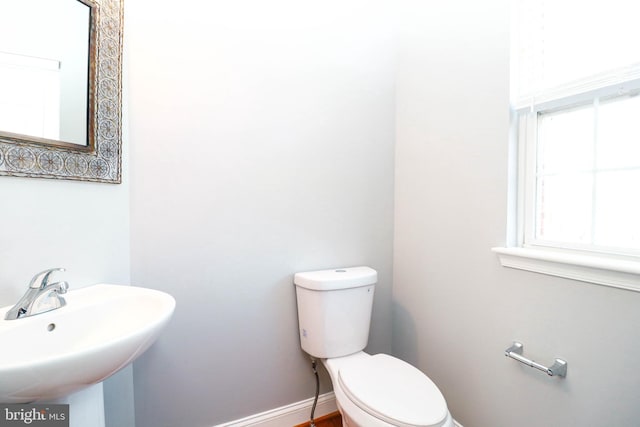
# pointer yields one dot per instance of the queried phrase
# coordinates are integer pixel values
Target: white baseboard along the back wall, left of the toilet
(289, 415)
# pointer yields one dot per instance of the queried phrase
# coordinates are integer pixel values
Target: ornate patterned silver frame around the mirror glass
(101, 161)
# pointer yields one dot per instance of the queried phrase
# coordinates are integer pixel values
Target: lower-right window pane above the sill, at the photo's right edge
(617, 209)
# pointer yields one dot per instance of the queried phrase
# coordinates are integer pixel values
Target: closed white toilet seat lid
(393, 391)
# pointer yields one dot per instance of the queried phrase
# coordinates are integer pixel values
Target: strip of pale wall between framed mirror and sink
(81, 226)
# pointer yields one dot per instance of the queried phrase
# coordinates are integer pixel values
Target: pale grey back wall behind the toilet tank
(262, 145)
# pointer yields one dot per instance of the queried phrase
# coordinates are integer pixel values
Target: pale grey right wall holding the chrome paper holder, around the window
(455, 309)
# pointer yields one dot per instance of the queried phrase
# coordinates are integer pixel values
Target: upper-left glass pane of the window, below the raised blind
(565, 141)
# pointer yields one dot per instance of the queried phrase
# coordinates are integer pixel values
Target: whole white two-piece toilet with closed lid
(334, 315)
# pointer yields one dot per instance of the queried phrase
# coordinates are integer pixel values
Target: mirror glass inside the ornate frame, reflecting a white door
(44, 69)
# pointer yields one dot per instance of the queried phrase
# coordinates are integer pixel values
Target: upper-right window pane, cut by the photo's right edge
(619, 133)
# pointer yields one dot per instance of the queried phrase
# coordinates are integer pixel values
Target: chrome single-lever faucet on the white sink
(41, 296)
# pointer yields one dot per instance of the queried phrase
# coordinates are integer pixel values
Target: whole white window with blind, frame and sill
(575, 94)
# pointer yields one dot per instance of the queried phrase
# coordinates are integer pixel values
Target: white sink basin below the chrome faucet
(101, 330)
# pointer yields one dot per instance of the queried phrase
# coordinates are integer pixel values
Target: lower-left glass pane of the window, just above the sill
(564, 208)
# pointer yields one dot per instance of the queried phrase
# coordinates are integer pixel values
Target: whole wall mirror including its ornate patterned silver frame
(60, 89)
